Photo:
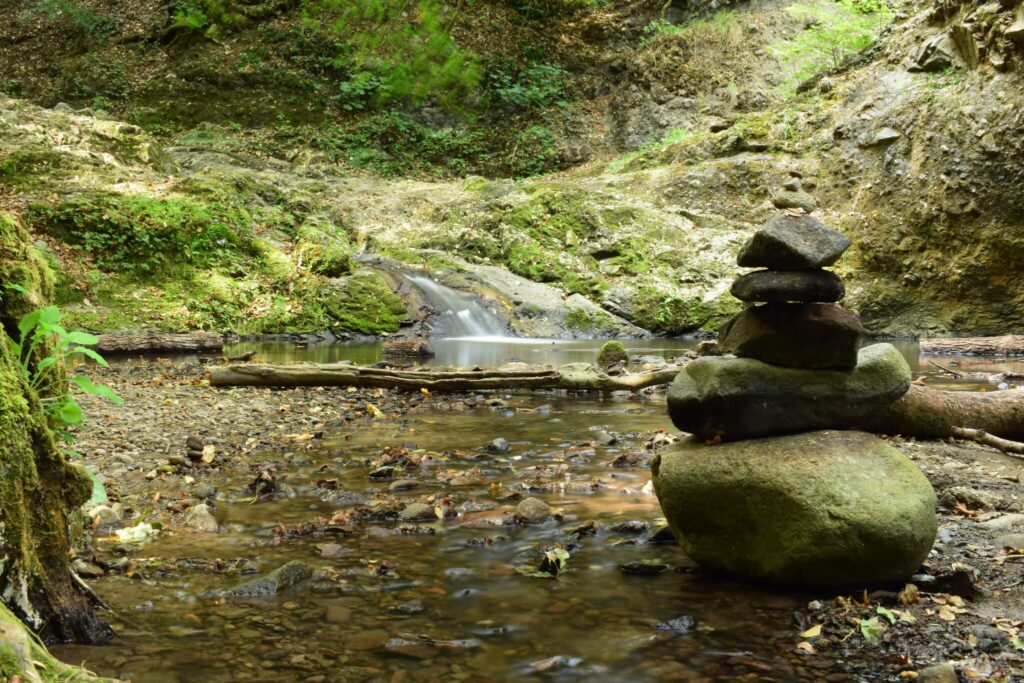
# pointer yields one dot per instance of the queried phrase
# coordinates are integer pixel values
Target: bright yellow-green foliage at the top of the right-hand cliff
(836, 31)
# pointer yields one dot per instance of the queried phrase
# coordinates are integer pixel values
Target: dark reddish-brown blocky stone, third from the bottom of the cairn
(804, 335)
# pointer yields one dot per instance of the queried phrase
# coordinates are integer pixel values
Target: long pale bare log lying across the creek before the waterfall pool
(578, 376)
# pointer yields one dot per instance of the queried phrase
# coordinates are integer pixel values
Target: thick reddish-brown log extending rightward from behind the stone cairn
(928, 413)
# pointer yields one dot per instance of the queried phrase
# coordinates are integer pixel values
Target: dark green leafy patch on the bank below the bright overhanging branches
(392, 144)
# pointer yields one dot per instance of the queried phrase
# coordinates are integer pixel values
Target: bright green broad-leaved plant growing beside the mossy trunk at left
(45, 346)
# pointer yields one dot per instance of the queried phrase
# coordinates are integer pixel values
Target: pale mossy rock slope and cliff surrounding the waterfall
(912, 147)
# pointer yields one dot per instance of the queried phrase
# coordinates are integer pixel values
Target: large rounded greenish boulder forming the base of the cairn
(824, 508)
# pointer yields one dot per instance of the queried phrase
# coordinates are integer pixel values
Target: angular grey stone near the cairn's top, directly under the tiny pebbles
(793, 243)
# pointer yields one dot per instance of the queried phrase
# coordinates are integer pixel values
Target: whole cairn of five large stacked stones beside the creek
(776, 485)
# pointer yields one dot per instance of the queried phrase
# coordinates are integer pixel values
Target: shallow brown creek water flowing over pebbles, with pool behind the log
(456, 582)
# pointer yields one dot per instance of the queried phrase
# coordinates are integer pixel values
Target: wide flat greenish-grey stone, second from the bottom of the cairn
(735, 399)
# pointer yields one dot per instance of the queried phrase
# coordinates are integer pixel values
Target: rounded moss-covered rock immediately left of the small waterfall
(366, 305)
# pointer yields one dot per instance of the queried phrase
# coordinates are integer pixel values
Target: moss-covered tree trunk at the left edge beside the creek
(38, 487)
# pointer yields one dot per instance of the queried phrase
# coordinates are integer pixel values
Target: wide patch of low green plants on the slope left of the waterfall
(142, 235)
